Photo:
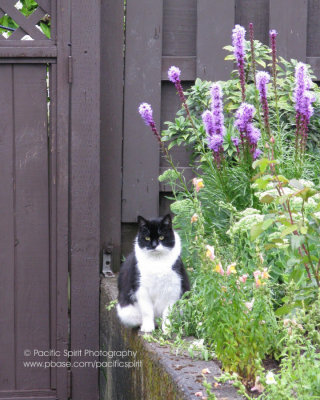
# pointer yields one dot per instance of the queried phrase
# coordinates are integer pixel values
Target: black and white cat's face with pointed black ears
(156, 235)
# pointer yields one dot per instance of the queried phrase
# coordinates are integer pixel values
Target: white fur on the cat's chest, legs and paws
(160, 287)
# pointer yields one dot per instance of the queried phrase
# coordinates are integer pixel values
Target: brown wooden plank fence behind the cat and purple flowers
(189, 34)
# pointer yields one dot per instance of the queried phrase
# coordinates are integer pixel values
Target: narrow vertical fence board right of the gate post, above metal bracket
(112, 68)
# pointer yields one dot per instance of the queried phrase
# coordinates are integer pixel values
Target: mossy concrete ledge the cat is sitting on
(154, 373)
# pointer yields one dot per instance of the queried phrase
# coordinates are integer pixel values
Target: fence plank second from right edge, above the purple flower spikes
(289, 18)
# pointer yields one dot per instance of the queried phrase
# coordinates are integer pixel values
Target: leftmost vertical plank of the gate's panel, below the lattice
(7, 267)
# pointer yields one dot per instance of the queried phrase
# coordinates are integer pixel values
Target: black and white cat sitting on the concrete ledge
(153, 277)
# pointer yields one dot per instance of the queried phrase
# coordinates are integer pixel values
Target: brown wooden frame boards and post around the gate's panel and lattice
(75, 212)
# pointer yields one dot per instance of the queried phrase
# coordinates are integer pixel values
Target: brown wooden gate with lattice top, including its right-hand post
(49, 199)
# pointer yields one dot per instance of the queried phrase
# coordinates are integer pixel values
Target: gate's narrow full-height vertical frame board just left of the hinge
(60, 129)
